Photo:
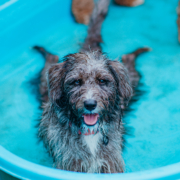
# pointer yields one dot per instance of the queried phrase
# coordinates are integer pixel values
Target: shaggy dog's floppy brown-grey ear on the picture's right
(121, 77)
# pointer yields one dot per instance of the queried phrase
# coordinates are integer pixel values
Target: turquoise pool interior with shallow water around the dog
(156, 119)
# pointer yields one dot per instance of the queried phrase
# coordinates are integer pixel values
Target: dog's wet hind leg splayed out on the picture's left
(50, 59)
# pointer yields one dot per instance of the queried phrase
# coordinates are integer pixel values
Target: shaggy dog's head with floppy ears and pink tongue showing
(89, 87)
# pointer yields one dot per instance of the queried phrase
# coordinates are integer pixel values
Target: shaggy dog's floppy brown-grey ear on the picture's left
(55, 78)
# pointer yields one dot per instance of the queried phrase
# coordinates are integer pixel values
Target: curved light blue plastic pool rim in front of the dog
(23, 169)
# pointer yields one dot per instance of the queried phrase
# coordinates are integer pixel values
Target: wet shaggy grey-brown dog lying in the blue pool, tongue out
(83, 99)
